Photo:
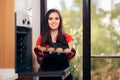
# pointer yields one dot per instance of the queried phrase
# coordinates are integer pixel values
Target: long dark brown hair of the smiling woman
(46, 37)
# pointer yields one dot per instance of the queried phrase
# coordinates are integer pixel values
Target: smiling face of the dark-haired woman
(54, 21)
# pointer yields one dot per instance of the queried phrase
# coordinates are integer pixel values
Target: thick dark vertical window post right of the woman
(86, 40)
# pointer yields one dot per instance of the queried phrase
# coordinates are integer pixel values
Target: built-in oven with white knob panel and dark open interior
(23, 44)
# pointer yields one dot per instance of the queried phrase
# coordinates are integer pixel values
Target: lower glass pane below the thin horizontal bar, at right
(105, 69)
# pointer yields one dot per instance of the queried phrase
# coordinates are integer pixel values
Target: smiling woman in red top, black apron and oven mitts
(53, 38)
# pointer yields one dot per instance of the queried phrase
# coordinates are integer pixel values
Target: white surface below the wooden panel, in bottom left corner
(8, 74)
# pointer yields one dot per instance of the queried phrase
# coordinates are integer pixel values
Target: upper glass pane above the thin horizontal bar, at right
(105, 27)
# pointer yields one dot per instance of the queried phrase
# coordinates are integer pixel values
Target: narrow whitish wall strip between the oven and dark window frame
(36, 31)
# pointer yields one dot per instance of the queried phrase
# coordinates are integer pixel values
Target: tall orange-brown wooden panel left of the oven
(7, 34)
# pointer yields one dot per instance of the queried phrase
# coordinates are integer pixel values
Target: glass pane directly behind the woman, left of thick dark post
(71, 12)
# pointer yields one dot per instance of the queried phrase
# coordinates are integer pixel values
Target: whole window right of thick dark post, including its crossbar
(105, 39)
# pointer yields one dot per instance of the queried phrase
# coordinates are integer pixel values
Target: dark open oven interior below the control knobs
(23, 49)
